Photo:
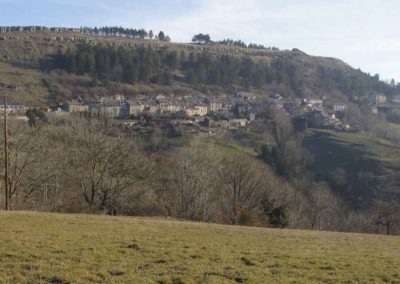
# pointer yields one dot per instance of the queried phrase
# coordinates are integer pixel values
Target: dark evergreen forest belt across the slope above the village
(166, 67)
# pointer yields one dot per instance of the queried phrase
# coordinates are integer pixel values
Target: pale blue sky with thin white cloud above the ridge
(363, 33)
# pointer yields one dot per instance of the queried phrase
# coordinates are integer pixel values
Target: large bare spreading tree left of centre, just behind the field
(107, 168)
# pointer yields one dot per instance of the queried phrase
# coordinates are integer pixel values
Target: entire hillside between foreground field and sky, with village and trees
(246, 108)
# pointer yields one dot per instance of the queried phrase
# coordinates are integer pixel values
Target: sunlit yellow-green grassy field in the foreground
(57, 248)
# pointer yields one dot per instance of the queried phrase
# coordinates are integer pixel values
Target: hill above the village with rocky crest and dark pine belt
(292, 73)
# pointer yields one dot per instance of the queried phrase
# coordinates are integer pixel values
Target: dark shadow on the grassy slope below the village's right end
(362, 170)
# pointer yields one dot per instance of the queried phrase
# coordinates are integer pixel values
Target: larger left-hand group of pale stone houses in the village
(237, 110)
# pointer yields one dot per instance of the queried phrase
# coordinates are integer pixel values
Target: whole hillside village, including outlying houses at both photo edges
(233, 111)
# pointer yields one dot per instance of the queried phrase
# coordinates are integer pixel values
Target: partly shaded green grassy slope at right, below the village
(358, 166)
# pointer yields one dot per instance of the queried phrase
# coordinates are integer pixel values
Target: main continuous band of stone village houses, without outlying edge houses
(237, 110)
